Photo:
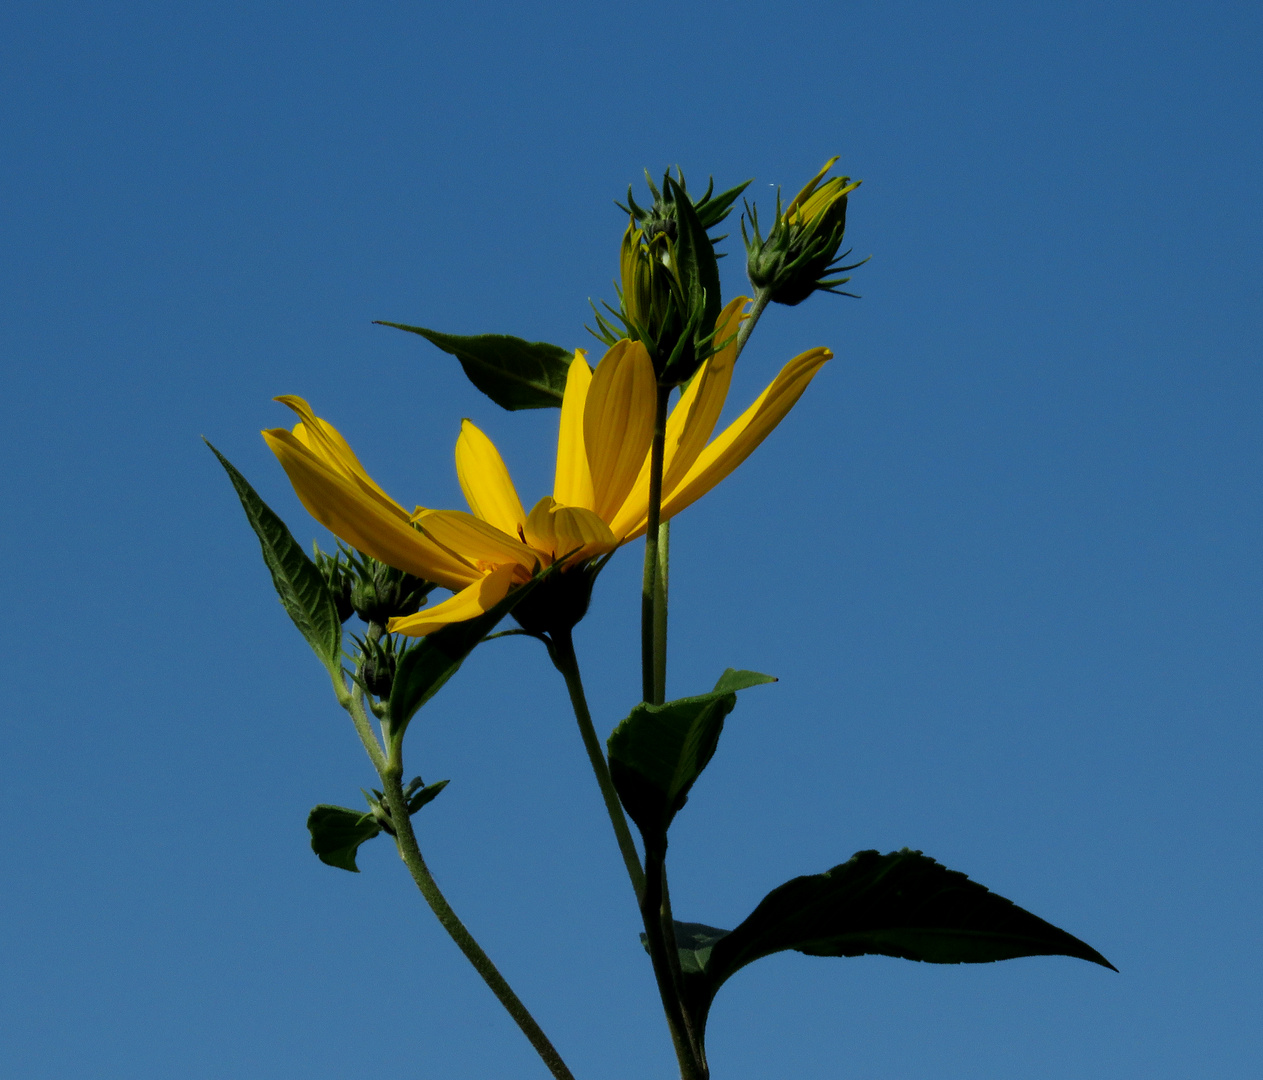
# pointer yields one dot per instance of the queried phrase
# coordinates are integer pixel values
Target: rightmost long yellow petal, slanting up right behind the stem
(741, 438)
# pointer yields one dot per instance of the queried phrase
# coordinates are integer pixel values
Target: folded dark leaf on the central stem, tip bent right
(660, 751)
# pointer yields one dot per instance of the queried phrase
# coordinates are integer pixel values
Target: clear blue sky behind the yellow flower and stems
(1005, 558)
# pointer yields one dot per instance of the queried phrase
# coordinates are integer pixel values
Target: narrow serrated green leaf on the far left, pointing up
(299, 583)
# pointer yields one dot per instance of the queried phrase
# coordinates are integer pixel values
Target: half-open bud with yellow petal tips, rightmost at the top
(801, 249)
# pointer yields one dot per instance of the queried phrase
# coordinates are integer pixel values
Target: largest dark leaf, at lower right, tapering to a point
(901, 905)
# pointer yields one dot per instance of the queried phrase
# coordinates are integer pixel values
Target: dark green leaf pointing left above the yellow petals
(513, 373)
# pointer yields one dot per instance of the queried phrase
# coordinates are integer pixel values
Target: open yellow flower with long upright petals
(602, 491)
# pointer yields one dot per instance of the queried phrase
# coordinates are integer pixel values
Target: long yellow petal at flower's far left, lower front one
(348, 512)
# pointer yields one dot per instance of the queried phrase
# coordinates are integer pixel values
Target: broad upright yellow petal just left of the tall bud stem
(618, 424)
